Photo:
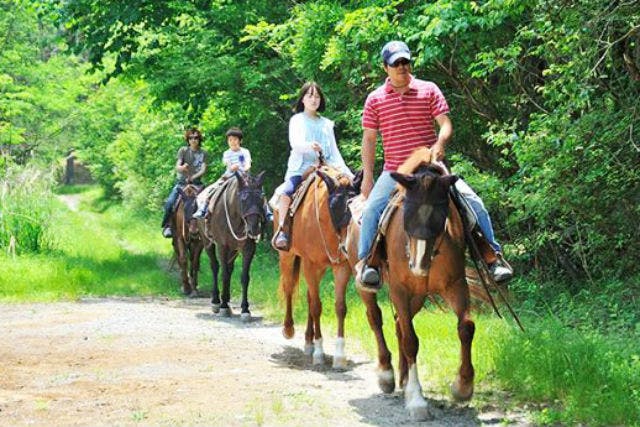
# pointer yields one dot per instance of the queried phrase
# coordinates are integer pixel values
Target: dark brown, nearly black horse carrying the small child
(234, 222)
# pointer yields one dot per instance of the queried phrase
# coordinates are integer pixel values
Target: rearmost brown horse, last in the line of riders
(187, 242)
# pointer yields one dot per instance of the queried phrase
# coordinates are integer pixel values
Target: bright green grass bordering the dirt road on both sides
(563, 372)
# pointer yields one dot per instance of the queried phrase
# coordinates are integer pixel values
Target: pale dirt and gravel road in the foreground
(172, 362)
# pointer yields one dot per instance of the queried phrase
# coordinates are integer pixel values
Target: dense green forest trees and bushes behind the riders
(543, 96)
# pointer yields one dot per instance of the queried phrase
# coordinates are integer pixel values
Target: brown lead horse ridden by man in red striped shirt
(425, 256)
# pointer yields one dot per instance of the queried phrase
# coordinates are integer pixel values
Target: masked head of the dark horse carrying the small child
(251, 198)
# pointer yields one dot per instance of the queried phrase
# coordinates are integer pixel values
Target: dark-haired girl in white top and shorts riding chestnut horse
(309, 134)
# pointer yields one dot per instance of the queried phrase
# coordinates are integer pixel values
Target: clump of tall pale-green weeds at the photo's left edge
(25, 210)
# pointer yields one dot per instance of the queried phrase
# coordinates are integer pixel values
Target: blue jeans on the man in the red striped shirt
(379, 196)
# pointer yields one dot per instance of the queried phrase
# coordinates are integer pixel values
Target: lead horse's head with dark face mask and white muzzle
(426, 207)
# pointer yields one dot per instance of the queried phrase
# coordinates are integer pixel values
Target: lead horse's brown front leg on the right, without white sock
(457, 297)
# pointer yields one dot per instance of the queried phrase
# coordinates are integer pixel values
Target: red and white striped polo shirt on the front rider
(406, 122)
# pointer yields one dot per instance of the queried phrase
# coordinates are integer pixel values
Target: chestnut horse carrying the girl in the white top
(317, 232)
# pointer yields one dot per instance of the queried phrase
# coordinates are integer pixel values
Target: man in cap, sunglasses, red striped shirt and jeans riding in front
(404, 110)
